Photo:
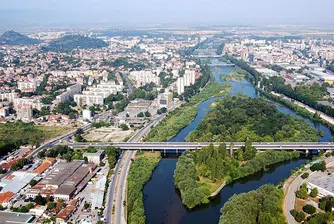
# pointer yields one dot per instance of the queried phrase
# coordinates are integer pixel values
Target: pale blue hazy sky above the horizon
(177, 12)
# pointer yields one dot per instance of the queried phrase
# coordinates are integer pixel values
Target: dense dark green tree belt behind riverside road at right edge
(304, 94)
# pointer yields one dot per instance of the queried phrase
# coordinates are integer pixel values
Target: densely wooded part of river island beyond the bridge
(239, 118)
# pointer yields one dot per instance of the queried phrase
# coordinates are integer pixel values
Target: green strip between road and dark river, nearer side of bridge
(140, 172)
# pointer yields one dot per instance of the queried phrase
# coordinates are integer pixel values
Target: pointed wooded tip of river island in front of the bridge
(200, 173)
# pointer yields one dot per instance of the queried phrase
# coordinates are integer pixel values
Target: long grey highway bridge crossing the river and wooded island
(159, 146)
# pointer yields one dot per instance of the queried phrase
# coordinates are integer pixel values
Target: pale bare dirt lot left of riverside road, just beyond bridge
(106, 134)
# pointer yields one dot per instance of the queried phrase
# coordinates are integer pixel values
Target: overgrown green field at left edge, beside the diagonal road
(14, 135)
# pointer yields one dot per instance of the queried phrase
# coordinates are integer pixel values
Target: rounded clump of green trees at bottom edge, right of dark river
(262, 206)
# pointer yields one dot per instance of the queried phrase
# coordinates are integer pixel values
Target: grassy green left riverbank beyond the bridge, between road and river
(185, 114)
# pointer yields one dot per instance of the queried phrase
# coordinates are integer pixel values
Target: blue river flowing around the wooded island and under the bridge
(163, 202)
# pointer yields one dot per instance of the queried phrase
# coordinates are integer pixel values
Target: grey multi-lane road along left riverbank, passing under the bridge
(118, 183)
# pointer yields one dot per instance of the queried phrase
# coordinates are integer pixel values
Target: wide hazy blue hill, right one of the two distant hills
(70, 42)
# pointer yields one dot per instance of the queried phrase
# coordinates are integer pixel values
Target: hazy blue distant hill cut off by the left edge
(15, 38)
